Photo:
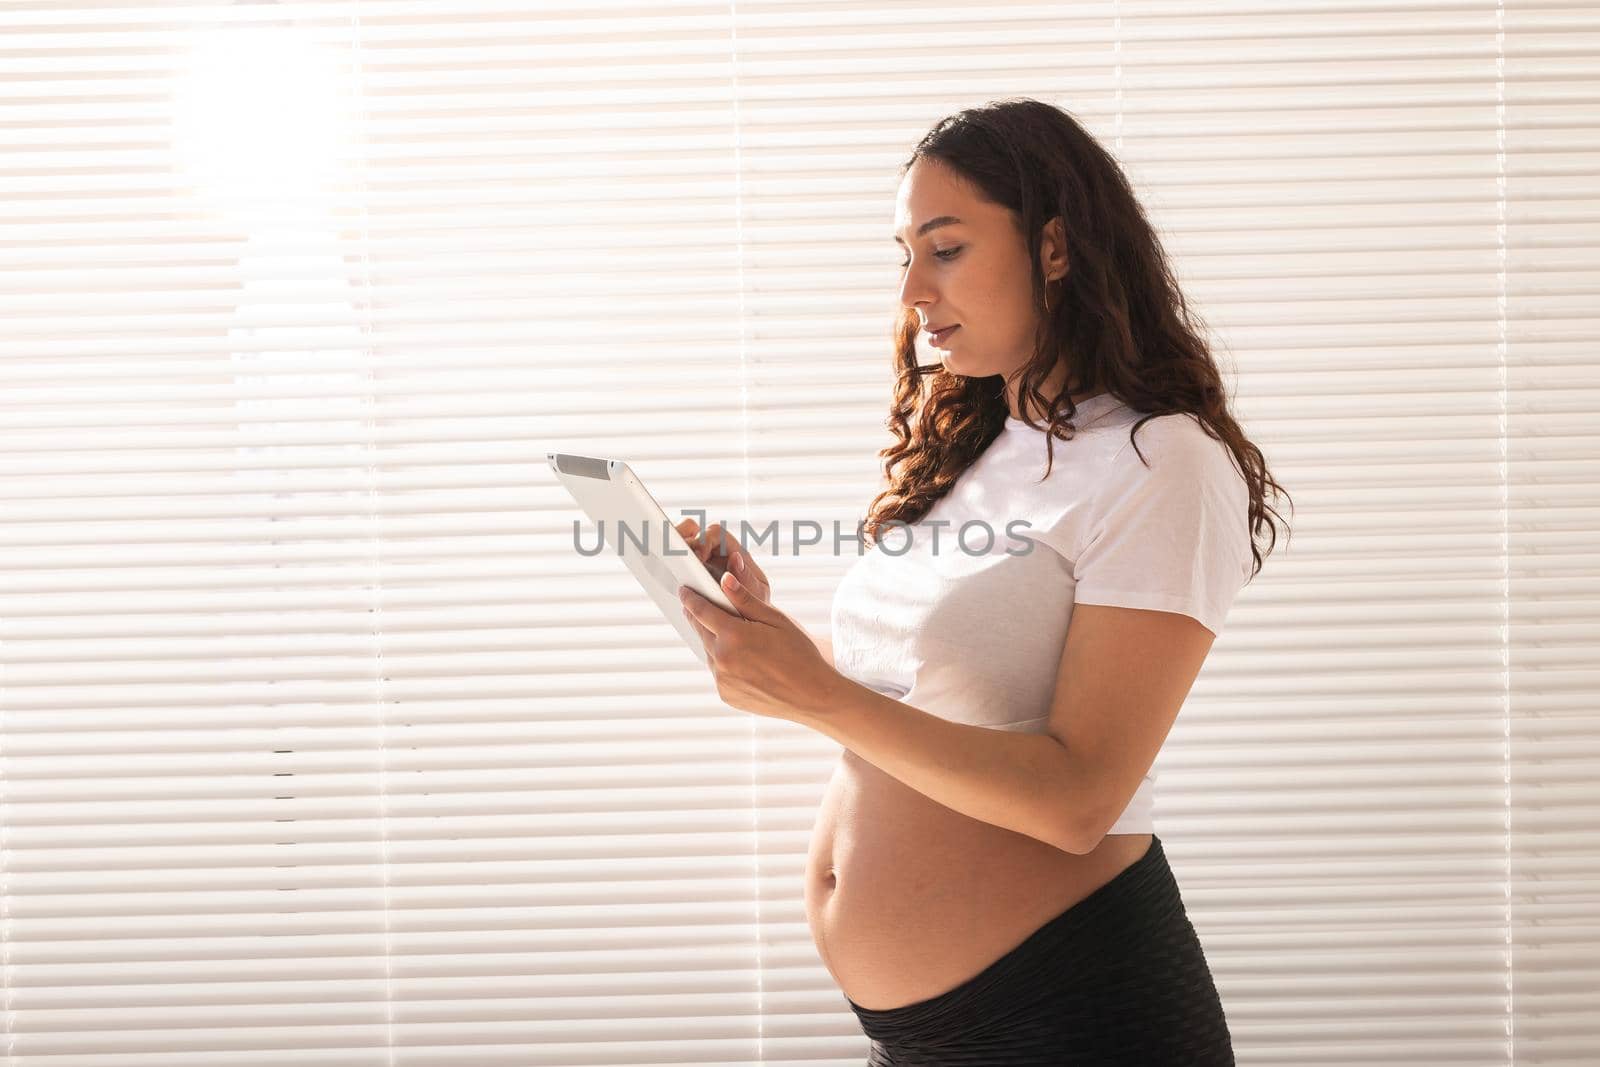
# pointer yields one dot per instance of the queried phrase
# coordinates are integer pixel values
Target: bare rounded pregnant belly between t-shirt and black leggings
(908, 898)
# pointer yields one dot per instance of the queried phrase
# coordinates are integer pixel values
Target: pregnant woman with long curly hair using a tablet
(1070, 516)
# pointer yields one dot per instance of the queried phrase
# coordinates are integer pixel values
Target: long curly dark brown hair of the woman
(1118, 318)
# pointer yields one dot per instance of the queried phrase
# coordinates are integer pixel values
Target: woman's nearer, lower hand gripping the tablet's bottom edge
(764, 663)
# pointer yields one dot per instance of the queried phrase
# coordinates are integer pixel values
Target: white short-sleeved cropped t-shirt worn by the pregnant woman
(970, 625)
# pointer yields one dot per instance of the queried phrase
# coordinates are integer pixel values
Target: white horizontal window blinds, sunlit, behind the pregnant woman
(321, 745)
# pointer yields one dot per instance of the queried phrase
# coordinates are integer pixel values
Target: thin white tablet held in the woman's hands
(636, 530)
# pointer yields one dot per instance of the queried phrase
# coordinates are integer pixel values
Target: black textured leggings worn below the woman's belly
(1119, 978)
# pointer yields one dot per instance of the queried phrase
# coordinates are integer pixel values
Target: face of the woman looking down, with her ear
(972, 273)
